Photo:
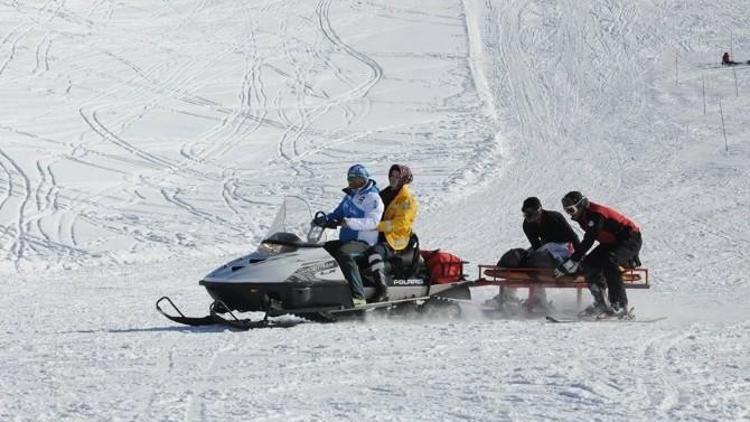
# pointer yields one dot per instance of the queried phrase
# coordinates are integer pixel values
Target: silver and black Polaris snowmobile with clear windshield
(289, 275)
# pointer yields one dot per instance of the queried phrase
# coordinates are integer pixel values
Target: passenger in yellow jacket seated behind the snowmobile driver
(394, 227)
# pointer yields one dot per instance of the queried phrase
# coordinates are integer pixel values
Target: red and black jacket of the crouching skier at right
(605, 225)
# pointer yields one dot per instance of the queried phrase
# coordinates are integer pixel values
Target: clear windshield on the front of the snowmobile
(291, 228)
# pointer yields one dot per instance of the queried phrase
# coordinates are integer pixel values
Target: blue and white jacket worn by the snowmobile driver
(361, 209)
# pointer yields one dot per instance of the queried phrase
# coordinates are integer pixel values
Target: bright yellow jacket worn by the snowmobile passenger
(398, 219)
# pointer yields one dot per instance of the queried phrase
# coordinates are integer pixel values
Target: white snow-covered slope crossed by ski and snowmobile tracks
(144, 143)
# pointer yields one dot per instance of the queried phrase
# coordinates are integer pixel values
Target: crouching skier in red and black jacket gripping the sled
(619, 244)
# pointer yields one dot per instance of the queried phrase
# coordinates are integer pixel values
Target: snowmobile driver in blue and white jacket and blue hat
(358, 214)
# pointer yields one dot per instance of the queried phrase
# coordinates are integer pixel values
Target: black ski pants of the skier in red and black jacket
(605, 261)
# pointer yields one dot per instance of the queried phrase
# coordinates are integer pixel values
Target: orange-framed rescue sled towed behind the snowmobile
(533, 278)
